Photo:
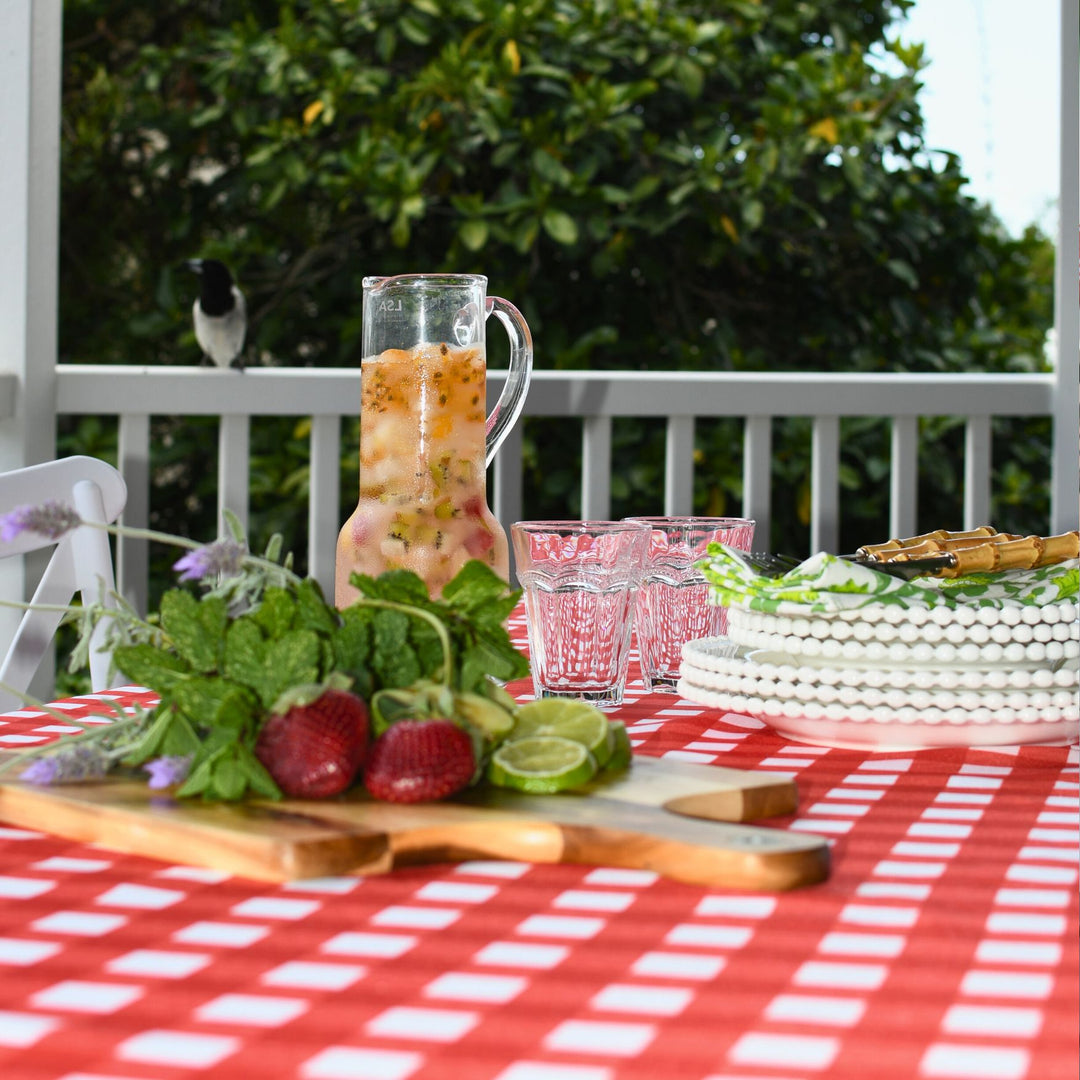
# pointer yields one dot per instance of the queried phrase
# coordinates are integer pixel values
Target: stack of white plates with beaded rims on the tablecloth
(890, 678)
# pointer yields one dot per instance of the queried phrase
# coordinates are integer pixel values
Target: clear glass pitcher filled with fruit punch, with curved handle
(425, 438)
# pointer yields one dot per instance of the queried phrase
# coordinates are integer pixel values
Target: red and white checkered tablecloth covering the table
(943, 946)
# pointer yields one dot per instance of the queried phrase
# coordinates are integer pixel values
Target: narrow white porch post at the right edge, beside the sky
(1065, 498)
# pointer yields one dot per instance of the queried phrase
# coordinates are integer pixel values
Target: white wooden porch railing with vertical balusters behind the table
(134, 395)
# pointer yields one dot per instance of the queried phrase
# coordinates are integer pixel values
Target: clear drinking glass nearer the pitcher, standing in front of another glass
(580, 582)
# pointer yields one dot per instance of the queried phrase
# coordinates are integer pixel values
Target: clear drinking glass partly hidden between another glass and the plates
(674, 604)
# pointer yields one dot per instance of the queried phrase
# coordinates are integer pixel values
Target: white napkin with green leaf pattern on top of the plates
(827, 584)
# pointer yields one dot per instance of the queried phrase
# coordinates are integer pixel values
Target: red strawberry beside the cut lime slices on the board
(420, 762)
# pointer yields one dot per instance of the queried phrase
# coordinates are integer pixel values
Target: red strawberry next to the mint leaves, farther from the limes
(316, 747)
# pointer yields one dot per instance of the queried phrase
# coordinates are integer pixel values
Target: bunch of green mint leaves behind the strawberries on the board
(219, 674)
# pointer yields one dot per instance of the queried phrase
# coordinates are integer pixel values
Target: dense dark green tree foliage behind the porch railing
(738, 185)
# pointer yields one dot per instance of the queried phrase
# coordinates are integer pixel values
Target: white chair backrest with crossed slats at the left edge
(82, 562)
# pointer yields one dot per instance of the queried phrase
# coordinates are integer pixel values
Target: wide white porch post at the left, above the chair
(31, 39)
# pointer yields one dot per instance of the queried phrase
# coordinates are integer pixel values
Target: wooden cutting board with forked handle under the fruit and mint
(682, 821)
